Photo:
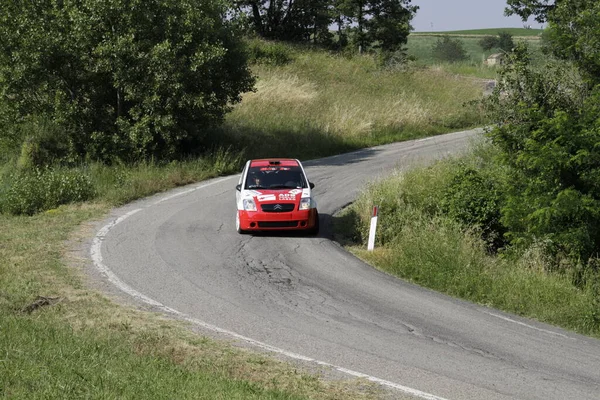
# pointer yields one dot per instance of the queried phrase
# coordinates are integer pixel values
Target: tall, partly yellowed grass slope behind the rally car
(321, 104)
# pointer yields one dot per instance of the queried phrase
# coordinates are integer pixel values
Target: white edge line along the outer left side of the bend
(96, 255)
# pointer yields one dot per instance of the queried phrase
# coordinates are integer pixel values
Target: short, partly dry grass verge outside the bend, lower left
(85, 346)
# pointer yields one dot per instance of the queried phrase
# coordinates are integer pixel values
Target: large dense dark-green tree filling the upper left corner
(126, 79)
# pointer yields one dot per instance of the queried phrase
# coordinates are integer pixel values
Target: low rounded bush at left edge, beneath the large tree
(31, 191)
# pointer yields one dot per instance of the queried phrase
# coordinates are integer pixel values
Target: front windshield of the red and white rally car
(275, 178)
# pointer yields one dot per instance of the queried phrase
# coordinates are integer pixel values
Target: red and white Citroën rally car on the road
(275, 194)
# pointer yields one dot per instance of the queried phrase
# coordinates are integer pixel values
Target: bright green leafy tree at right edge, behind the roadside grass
(547, 138)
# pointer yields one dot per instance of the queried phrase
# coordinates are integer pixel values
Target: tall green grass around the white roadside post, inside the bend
(460, 263)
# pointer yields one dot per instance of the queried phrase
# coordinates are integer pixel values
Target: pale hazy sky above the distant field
(453, 15)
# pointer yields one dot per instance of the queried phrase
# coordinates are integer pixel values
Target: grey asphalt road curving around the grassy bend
(307, 297)
